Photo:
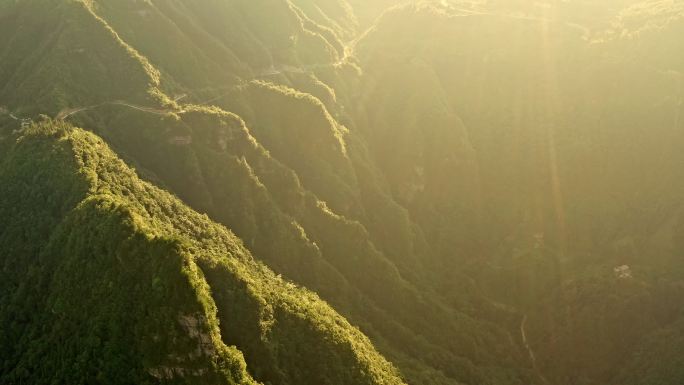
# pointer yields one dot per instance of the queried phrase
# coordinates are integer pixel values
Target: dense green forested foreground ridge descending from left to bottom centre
(212, 260)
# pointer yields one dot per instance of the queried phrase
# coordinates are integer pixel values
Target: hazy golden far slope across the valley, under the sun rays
(576, 134)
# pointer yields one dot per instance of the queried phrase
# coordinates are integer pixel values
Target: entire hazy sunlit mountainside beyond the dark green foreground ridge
(458, 168)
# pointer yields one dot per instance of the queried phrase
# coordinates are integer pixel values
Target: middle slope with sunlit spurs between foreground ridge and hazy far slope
(320, 215)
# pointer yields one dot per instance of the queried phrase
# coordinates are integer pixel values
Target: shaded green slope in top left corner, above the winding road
(50, 63)
